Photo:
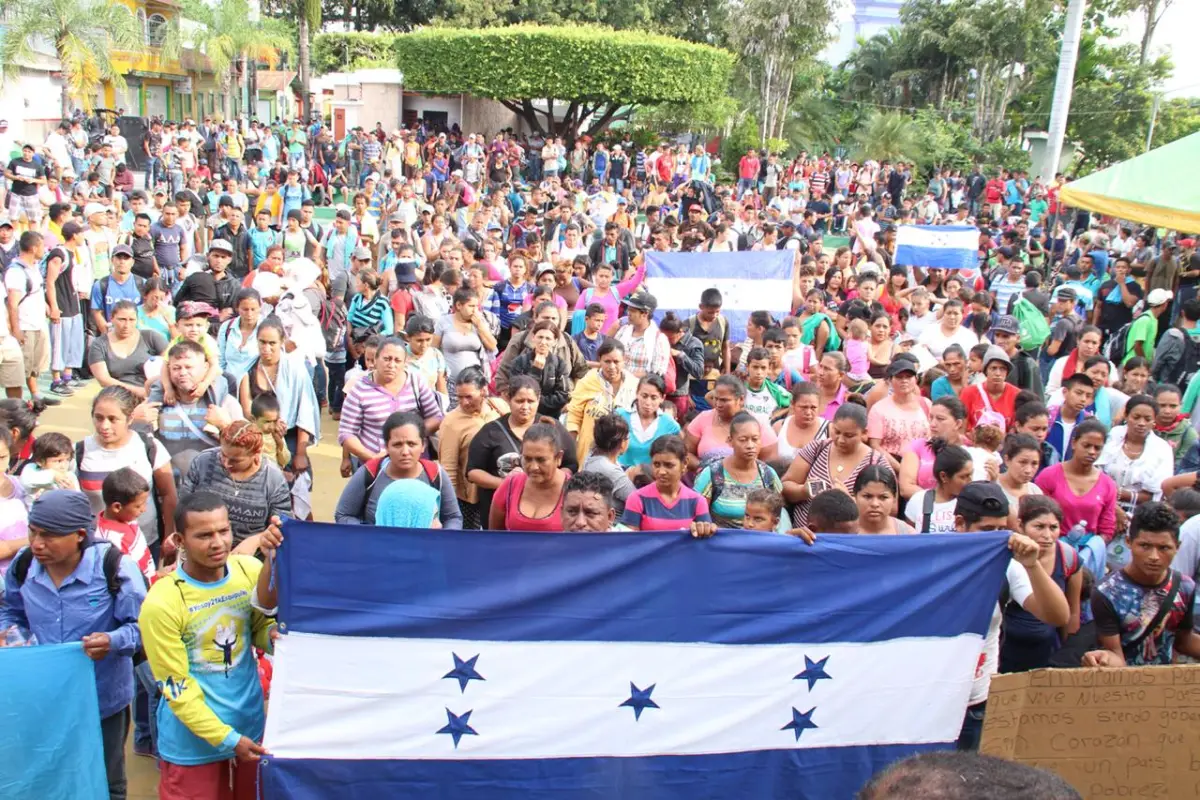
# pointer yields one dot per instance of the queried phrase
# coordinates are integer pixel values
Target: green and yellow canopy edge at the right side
(1160, 189)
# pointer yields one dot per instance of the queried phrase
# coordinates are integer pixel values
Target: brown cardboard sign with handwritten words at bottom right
(1112, 733)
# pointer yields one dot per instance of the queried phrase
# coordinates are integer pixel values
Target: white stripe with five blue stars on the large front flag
(557, 700)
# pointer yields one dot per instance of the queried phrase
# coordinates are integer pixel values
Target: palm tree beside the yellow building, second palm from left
(232, 39)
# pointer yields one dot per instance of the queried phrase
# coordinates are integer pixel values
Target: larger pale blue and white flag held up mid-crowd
(749, 282)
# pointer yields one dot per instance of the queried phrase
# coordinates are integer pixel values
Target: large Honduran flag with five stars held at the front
(651, 666)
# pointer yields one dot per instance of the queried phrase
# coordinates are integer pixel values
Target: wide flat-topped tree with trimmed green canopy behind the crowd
(587, 77)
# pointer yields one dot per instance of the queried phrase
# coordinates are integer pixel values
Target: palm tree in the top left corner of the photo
(85, 35)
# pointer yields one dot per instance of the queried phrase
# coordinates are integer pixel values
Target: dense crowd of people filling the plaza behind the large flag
(478, 326)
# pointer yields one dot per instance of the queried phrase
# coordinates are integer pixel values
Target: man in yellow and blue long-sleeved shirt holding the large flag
(200, 627)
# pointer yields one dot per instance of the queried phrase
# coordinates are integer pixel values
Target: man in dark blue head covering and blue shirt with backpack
(65, 588)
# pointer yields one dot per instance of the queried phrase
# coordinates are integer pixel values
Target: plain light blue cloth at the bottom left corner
(50, 725)
